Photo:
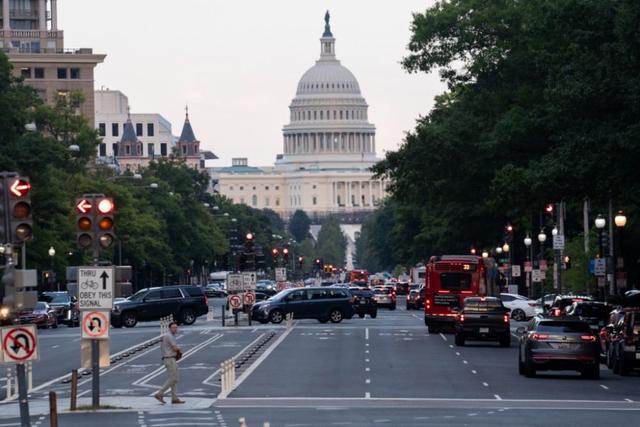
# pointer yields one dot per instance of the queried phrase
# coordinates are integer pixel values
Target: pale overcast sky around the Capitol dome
(236, 63)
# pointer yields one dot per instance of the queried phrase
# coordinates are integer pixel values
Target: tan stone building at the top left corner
(30, 37)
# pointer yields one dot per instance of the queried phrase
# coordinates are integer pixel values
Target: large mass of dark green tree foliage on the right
(543, 105)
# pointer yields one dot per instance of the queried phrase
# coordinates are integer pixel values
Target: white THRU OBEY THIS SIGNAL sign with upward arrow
(95, 288)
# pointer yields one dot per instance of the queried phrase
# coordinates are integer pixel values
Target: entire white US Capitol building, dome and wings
(329, 146)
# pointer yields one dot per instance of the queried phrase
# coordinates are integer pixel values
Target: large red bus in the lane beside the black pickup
(449, 280)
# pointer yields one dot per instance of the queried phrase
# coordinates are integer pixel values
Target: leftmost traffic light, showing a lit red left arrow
(20, 222)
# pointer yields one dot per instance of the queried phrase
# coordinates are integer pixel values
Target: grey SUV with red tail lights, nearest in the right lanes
(552, 343)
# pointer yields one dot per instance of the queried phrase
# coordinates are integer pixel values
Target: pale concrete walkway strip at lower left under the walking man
(121, 404)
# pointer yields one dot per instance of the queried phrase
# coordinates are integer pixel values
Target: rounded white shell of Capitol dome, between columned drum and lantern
(328, 77)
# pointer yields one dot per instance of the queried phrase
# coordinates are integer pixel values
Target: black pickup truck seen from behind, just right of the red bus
(483, 318)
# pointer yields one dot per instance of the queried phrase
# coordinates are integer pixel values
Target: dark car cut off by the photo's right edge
(624, 344)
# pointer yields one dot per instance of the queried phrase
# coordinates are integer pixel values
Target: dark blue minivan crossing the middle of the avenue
(322, 303)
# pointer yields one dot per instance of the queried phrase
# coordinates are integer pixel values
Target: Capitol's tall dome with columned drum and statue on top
(329, 125)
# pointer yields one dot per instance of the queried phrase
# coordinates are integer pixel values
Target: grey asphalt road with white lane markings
(362, 372)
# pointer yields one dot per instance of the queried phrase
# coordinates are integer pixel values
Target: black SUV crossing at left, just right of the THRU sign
(184, 302)
